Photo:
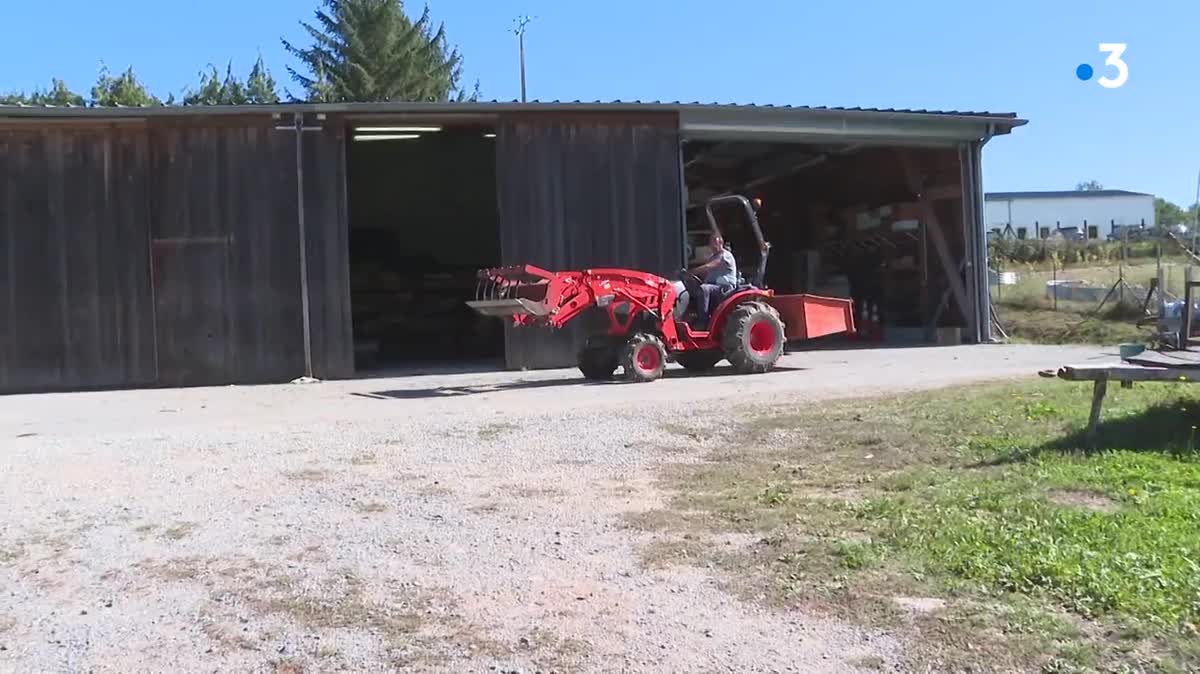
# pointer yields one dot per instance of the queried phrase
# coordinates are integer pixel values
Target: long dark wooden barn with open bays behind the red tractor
(163, 246)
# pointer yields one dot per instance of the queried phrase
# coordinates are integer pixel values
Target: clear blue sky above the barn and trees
(1013, 57)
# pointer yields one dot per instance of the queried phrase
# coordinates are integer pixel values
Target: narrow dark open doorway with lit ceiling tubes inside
(423, 220)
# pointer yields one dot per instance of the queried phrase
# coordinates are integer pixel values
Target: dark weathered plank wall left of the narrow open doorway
(169, 254)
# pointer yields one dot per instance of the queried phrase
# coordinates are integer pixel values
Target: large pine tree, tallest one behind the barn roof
(371, 51)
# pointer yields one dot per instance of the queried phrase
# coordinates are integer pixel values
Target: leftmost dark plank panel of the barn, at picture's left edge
(76, 308)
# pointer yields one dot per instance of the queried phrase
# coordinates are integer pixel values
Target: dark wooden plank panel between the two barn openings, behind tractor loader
(578, 192)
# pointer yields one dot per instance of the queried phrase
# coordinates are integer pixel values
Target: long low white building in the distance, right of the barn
(1096, 213)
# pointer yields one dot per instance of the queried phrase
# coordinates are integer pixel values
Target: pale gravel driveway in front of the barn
(465, 522)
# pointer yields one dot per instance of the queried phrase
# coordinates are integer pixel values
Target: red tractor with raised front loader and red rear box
(651, 318)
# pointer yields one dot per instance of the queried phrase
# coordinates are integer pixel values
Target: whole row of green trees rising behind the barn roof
(358, 51)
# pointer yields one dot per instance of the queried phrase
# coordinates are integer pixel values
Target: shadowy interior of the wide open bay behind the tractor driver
(844, 221)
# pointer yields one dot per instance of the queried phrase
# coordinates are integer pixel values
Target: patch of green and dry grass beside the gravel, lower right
(1048, 556)
